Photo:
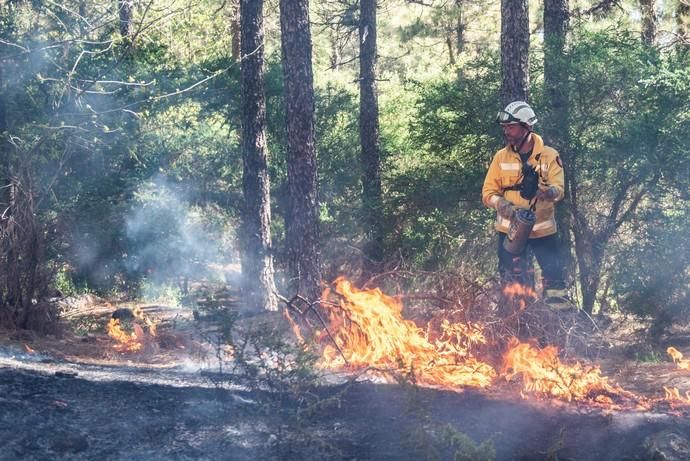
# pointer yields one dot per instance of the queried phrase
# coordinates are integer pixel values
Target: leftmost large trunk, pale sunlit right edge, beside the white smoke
(257, 260)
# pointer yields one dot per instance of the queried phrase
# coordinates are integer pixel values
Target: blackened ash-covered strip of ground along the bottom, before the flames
(46, 416)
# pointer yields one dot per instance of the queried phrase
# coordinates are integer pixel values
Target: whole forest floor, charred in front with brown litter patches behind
(75, 396)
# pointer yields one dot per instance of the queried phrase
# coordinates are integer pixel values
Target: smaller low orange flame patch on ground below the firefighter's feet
(544, 374)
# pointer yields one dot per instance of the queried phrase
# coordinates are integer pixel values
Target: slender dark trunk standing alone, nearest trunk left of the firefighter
(369, 132)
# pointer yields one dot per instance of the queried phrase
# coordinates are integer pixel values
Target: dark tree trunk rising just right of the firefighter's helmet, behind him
(556, 120)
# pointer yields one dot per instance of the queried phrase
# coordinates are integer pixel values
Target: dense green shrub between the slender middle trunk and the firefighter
(433, 187)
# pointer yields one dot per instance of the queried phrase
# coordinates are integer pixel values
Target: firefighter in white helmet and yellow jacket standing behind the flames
(526, 174)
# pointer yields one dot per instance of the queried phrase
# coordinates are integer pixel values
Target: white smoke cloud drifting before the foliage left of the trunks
(172, 242)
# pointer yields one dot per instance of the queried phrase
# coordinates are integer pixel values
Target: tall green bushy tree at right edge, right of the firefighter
(630, 120)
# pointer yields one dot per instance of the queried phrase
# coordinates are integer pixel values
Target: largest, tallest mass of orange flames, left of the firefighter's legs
(369, 331)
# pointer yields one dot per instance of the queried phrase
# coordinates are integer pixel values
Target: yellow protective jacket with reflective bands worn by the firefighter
(506, 171)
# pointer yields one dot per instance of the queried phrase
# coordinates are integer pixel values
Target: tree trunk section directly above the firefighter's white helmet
(514, 51)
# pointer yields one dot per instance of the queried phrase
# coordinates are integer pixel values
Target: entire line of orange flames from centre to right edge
(365, 330)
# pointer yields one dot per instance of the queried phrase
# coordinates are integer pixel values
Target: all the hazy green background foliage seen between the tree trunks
(105, 130)
